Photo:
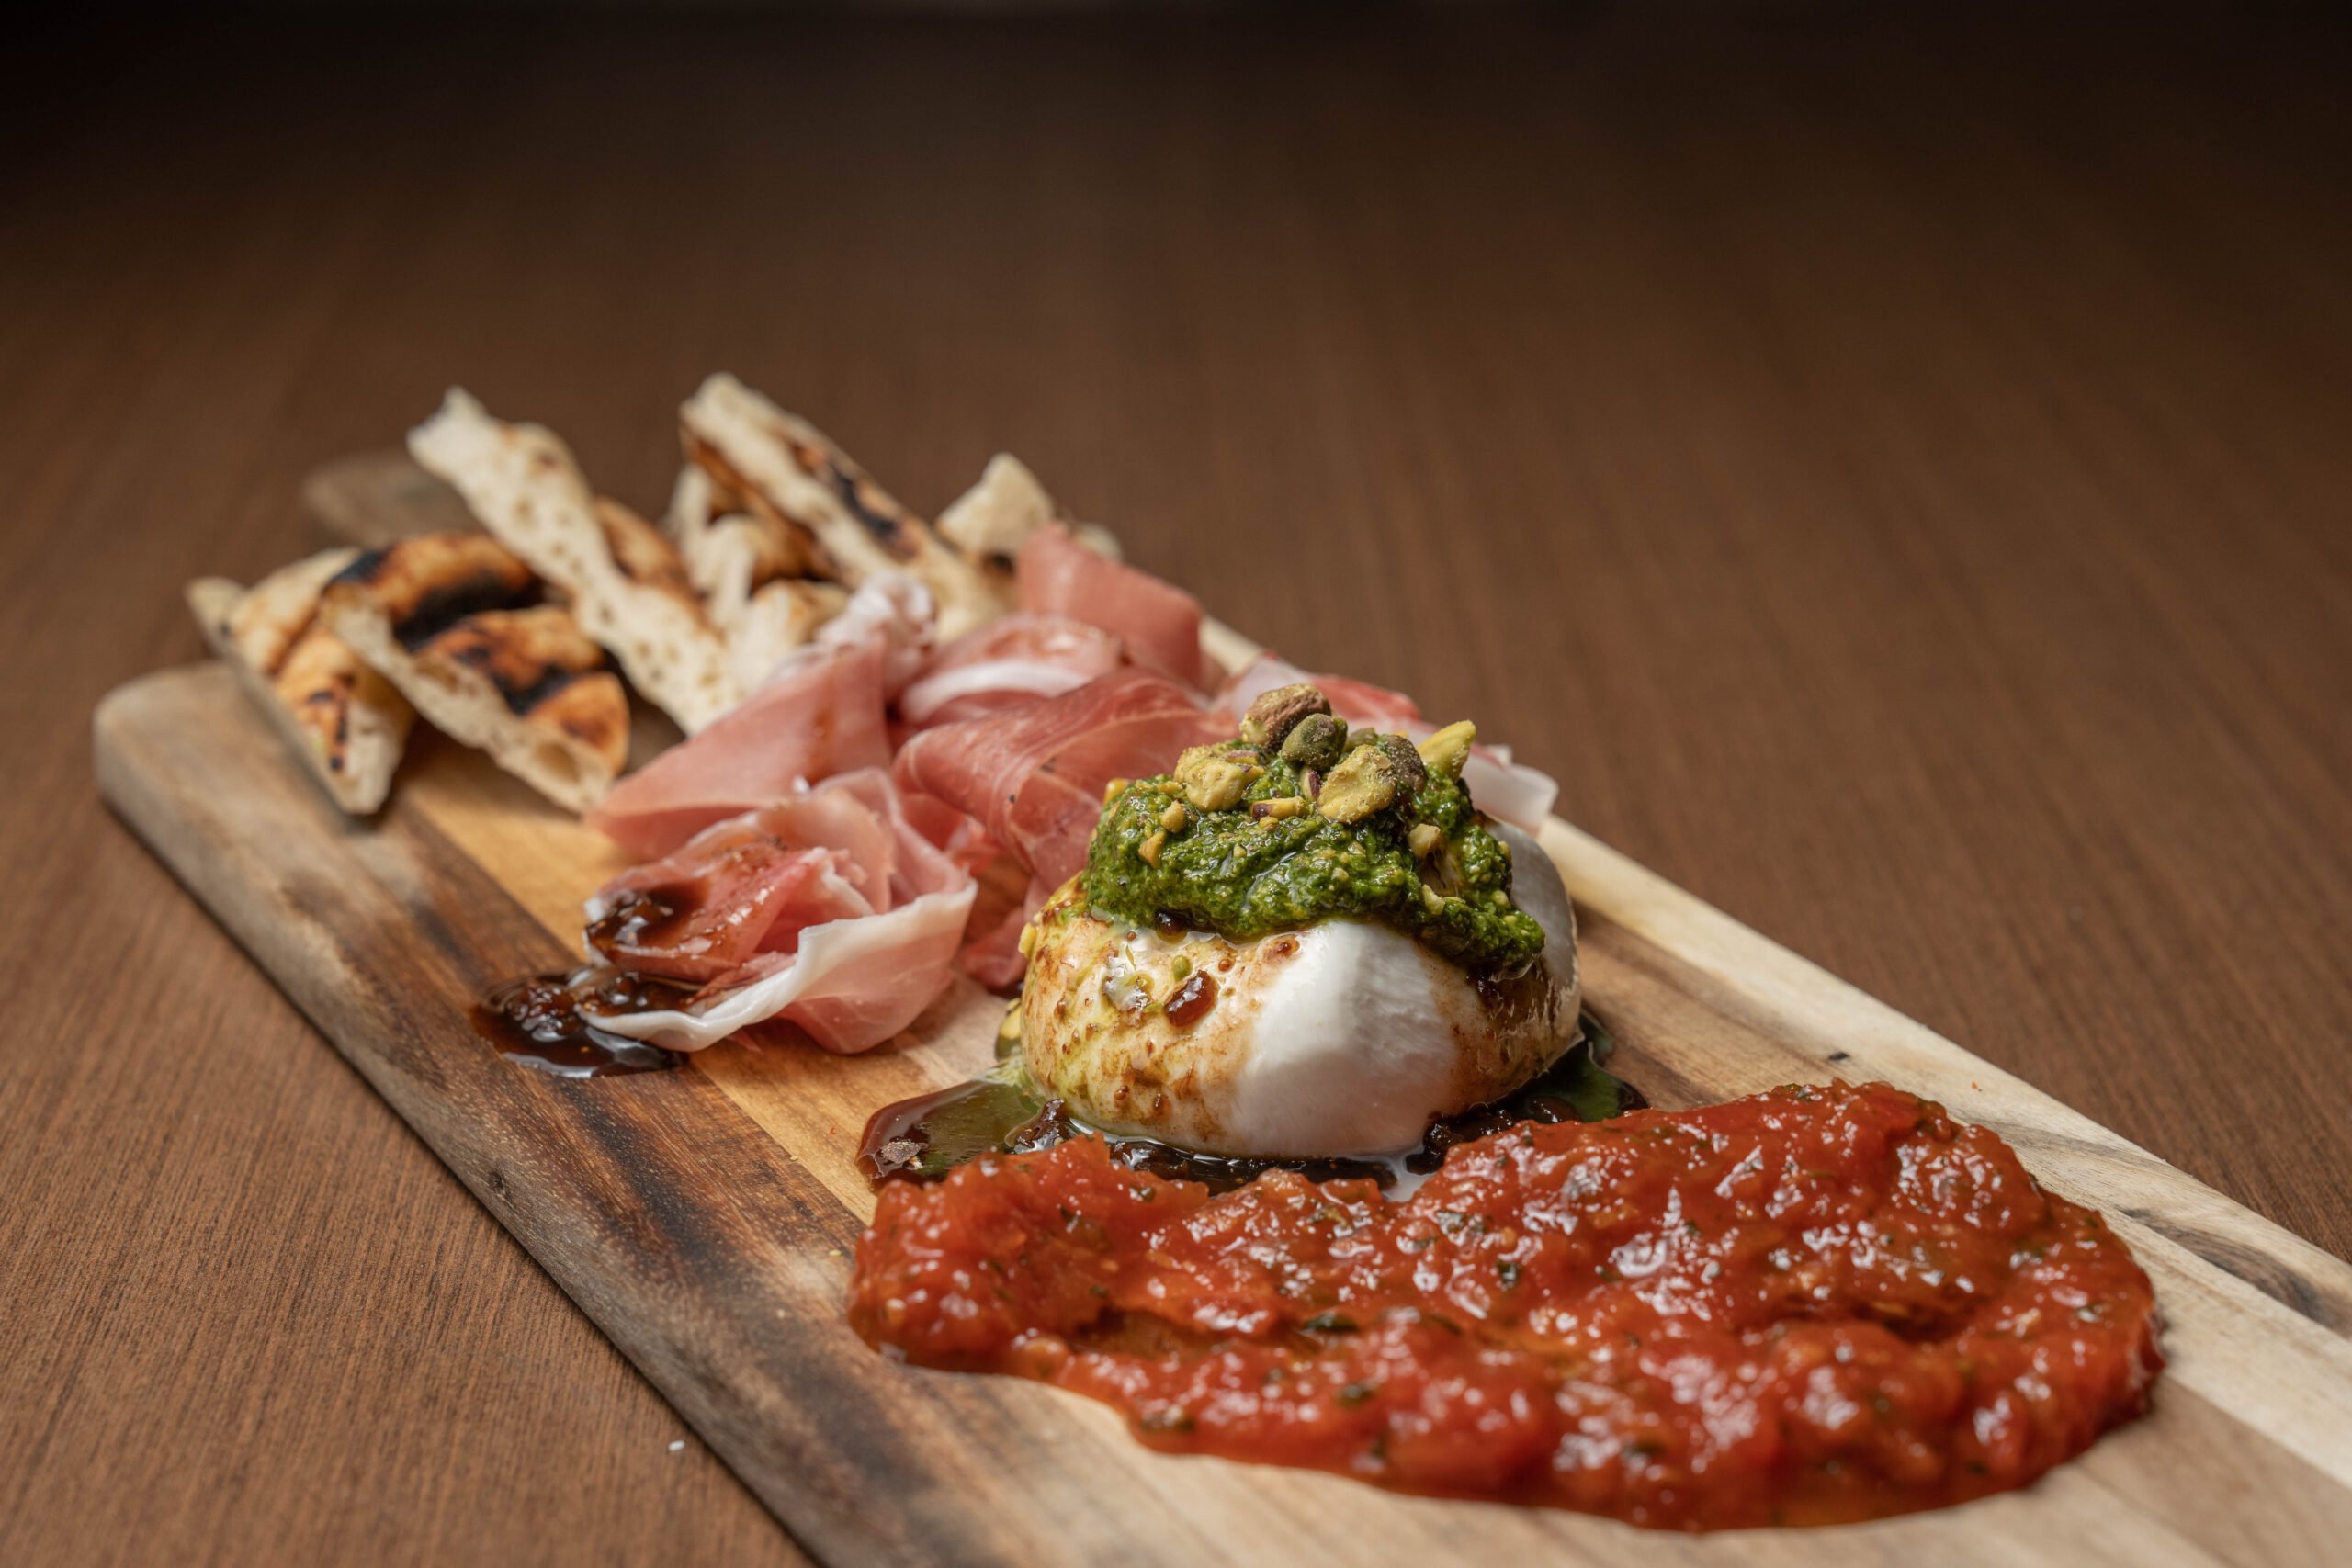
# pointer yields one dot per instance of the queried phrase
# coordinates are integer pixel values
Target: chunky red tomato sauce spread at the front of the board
(1800, 1308)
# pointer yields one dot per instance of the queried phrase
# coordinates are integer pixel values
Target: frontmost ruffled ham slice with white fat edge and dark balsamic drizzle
(824, 909)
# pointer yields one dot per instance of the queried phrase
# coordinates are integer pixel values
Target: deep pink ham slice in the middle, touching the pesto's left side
(1034, 777)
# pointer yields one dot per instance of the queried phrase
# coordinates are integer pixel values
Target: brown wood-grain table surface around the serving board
(1899, 481)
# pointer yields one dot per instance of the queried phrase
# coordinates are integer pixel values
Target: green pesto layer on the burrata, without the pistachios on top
(1248, 876)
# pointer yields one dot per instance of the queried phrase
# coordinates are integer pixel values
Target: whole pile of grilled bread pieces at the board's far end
(500, 641)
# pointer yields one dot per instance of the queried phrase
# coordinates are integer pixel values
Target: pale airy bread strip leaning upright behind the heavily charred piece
(627, 582)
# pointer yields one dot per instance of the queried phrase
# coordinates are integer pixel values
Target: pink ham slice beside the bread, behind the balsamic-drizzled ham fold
(824, 711)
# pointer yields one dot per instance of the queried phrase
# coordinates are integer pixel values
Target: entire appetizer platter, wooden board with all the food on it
(1038, 1078)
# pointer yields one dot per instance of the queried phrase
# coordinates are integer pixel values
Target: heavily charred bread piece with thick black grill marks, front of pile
(455, 622)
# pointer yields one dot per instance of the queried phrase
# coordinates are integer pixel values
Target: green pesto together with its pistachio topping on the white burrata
(1250, 838)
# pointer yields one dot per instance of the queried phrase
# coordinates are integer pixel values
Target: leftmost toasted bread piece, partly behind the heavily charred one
(342, 718)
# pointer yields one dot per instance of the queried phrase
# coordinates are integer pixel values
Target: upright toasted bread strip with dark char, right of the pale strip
(820, 504)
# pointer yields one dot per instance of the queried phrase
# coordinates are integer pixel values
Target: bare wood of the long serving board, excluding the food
(704, 1217)
